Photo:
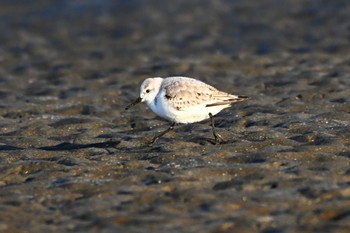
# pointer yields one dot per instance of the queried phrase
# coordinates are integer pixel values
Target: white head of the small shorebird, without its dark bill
(149, 89)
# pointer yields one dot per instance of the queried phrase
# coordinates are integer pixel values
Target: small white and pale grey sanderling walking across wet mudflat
(184, 100)
